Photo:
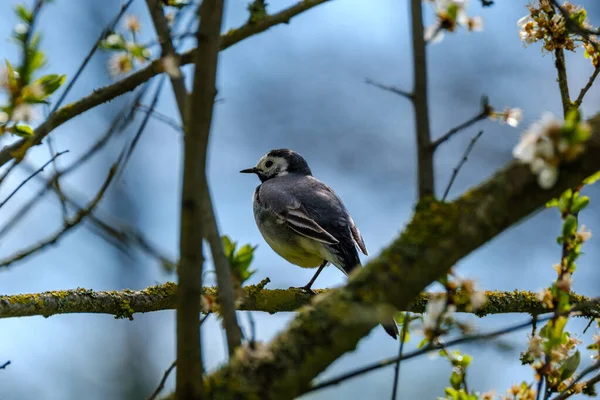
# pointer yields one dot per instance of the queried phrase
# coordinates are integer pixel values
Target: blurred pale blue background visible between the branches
(299, 86)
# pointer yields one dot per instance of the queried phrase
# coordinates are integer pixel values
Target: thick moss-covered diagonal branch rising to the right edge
(438, 236)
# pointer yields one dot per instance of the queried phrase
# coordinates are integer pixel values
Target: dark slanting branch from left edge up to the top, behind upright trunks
(107, 93)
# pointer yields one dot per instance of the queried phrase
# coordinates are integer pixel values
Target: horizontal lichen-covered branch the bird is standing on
(126, 303)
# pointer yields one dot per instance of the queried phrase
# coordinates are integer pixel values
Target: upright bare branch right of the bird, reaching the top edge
(424, 152)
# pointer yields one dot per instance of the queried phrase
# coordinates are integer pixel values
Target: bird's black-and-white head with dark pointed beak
(279, 162)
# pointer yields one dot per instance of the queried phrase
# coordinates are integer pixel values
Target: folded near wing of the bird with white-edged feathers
(289, 209)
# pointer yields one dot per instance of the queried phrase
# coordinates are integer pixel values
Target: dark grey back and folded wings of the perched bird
(313, 210)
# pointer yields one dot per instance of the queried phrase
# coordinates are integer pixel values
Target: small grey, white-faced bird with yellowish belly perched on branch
(303, 220)
